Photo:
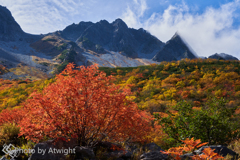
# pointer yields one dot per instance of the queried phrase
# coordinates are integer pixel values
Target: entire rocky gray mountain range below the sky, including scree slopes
(107, 44)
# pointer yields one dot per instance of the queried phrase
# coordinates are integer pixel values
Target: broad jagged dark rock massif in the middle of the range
(115, 36)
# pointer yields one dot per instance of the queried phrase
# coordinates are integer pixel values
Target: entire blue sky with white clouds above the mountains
(209, 27)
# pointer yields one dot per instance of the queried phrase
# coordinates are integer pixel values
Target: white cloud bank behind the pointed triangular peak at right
(207, 33)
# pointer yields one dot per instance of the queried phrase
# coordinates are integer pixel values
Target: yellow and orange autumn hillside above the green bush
(157, 87)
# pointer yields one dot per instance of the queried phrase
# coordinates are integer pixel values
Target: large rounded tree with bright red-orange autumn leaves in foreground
(84, 104)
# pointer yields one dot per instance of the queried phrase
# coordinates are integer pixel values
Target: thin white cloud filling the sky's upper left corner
(43, 16)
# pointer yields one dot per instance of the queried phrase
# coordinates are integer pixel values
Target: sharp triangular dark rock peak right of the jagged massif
(175, 49)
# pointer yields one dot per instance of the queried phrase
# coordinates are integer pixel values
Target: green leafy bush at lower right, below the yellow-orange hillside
(213, 123)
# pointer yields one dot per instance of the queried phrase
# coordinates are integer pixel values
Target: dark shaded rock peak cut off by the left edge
(9, 28)
